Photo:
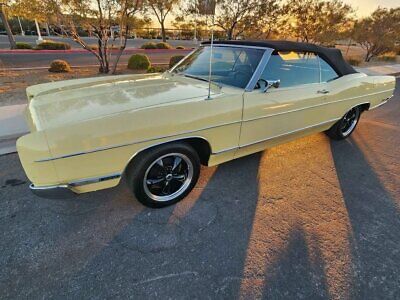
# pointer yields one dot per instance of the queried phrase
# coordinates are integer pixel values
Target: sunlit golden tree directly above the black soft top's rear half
(321, 22)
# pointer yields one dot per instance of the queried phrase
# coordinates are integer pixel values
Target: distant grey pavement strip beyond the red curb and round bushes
(134, 43)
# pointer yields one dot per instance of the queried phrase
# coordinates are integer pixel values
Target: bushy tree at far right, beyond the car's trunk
(378, 33)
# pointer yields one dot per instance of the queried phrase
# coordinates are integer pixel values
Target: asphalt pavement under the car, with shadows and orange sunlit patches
(311, 219)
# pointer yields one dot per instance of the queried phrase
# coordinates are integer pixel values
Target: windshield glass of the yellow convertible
(230, 65)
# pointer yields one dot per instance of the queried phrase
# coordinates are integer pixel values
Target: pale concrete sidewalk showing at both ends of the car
(12, 121)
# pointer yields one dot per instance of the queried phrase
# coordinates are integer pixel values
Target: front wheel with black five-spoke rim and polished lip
(164, 175)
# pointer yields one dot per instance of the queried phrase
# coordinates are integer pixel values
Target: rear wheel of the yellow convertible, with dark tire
(343, 128)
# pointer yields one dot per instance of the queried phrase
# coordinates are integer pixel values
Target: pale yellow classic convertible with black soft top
(155, 130)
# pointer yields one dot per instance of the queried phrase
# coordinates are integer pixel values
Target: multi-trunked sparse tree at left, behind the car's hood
(100, 17)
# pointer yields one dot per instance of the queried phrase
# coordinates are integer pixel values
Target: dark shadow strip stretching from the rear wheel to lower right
(375, 224)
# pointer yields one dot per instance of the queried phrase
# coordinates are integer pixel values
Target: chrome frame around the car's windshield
(258, 71)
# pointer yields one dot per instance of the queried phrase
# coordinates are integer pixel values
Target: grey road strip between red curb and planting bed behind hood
(25, 60)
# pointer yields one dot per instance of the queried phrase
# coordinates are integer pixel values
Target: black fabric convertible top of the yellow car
(331, 55)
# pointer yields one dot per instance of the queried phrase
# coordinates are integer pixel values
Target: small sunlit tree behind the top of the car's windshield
(235, 16)
